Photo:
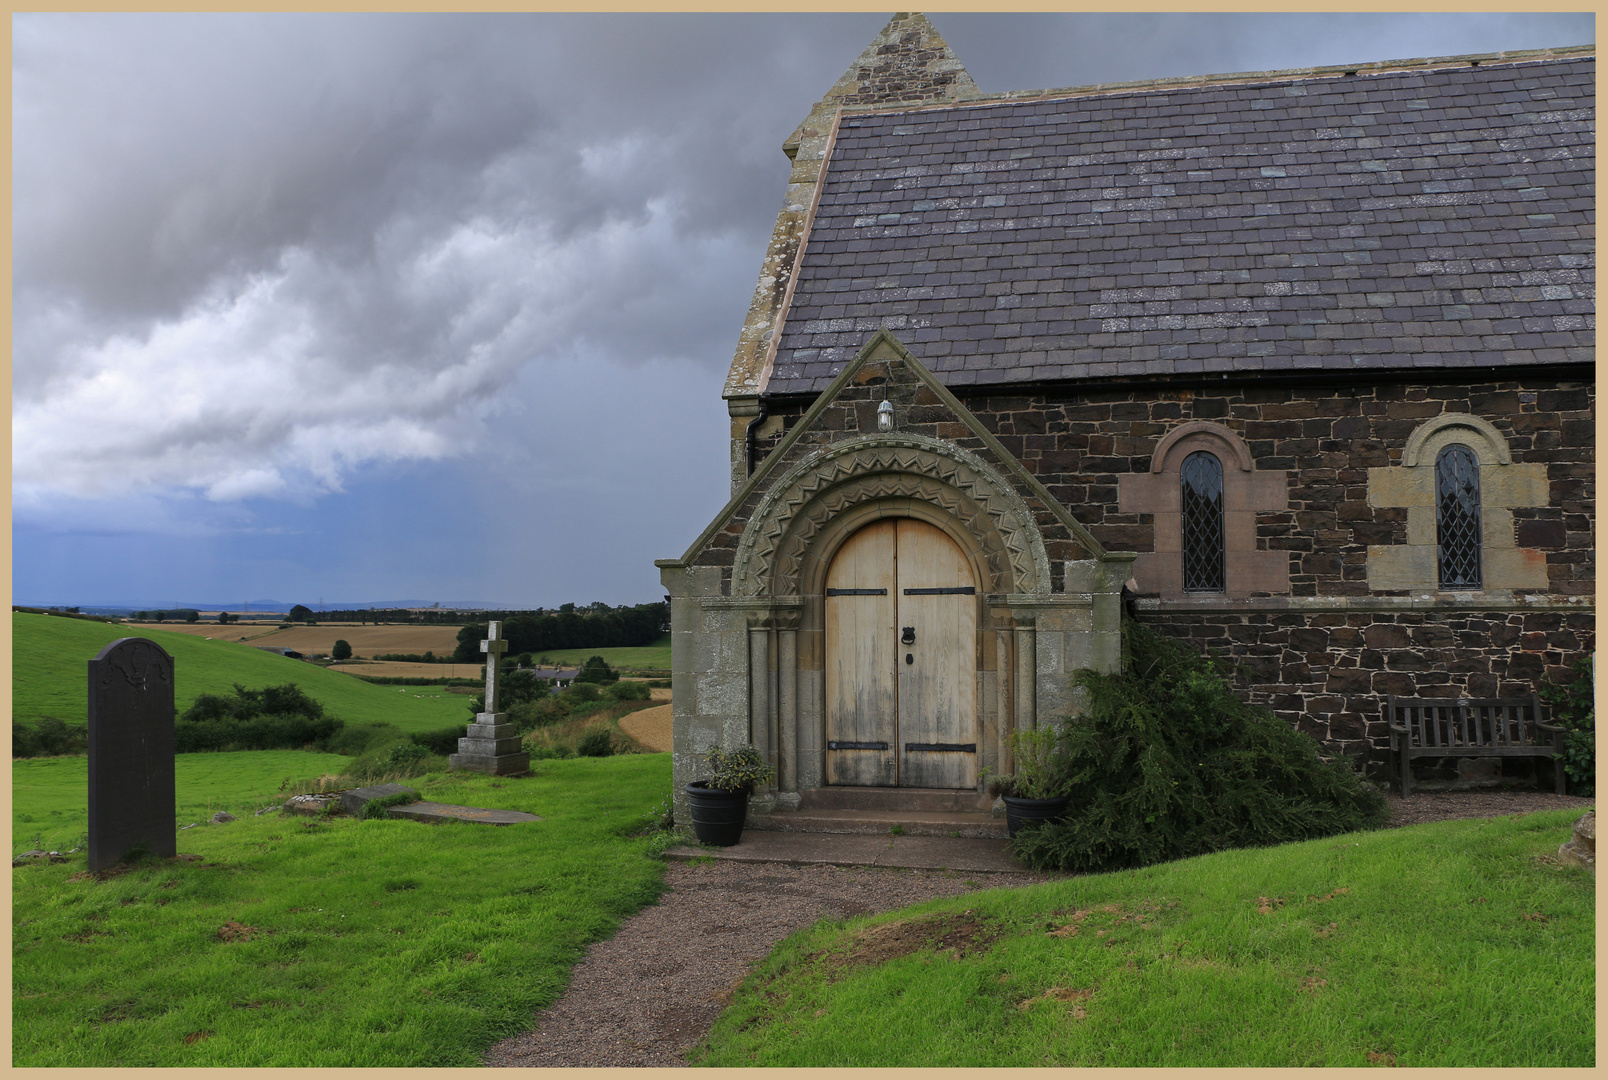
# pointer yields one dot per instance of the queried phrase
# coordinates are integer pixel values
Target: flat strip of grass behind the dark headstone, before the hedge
(51, 795)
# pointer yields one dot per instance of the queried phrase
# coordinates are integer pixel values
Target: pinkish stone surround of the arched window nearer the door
(1245, 493)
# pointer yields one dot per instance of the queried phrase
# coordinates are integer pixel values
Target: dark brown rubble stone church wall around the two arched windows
(1327, 671)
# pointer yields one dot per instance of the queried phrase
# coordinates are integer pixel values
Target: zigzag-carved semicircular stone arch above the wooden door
(864, 468)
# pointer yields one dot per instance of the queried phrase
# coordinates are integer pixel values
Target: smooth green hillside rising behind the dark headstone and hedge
(51, 676)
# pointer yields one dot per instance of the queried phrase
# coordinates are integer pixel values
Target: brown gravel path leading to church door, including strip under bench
(654, 991)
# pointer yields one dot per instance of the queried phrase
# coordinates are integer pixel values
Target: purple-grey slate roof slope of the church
(1409, 219)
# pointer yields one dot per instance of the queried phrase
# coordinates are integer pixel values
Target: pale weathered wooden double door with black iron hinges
(901, 660)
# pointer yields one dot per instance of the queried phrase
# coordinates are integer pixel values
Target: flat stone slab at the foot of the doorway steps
(847, 849)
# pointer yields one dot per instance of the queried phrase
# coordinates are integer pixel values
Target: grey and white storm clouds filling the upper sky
(256, 253)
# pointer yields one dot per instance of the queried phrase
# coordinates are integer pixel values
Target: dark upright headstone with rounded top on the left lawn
(131, 753)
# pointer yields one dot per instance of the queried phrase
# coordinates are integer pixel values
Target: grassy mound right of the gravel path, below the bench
(1450, 944)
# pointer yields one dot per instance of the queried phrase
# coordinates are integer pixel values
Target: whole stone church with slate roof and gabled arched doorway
(1292, 366)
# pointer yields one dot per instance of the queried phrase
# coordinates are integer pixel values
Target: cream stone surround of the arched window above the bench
(1504, 485)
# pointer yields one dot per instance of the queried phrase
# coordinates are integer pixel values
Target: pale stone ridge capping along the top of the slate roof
(1184, 83)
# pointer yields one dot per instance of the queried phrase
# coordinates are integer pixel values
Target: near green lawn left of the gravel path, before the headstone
(343, 943)
